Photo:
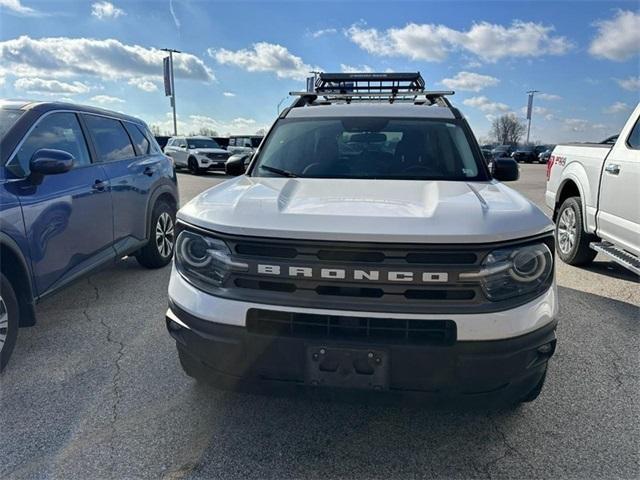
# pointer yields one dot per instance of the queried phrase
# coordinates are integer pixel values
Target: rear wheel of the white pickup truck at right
(572, 241)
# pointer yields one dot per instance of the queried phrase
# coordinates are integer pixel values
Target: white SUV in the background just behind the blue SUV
(197, 153)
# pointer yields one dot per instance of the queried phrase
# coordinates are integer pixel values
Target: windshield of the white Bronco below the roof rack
(412, 149)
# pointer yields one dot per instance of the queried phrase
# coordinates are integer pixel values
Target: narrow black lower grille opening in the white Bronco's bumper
(366, 329)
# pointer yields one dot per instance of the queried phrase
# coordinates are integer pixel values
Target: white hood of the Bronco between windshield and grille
(366, 210)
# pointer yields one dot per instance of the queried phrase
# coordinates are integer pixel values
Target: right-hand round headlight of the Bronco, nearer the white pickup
(512, 272)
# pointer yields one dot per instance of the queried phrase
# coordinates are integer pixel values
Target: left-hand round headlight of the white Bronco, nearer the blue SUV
(204, 260)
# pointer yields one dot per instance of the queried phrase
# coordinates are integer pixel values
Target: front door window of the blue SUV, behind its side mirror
(58, 131)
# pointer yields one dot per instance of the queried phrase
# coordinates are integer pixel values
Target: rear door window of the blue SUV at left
(110, 138)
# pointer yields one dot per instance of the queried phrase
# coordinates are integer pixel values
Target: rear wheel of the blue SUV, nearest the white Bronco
(159, 249)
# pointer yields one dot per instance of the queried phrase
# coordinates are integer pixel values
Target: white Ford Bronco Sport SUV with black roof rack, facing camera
(367, 246)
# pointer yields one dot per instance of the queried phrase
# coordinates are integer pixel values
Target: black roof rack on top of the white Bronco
(371, 87)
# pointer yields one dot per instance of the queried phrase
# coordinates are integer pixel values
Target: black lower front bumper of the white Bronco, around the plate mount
(235, 357)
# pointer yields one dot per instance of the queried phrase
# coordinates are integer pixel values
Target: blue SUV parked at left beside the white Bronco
(80, 187)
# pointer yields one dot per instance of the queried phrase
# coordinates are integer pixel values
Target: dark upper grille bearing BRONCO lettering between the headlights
(435, 287)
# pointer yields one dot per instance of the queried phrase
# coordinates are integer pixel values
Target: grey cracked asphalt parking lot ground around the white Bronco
(95, 391)
